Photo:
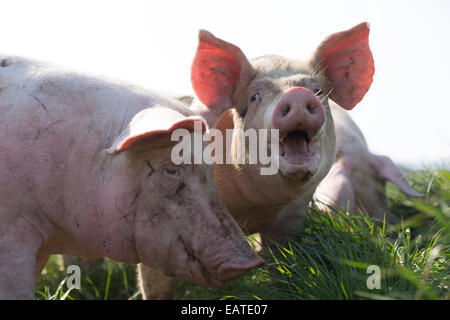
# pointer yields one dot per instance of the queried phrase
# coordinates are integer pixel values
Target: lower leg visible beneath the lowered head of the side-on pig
(154, 285)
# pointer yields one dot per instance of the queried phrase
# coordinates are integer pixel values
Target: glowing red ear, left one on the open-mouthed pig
(218, 69)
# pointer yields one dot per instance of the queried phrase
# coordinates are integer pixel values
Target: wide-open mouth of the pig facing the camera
(299, 156)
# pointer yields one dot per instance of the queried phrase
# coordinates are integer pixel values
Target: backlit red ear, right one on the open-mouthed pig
(348, 64)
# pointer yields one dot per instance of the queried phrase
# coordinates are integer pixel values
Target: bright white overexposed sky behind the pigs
(405, 114)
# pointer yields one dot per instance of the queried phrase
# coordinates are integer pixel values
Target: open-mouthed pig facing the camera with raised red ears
(273, 92)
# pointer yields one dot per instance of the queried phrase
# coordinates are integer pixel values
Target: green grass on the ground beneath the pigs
(329, 261)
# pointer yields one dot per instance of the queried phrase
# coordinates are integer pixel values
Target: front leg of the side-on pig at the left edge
(18, 250)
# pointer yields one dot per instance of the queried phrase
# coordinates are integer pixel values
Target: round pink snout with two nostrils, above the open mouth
(298, 109)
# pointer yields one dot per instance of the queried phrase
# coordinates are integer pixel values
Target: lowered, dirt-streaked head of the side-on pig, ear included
(181, 225)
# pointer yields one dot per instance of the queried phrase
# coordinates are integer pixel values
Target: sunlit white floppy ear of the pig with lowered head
(150, 124)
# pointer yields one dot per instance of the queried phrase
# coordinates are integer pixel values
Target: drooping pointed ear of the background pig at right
(388, 170)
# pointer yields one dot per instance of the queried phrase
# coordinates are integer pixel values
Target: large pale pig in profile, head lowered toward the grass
(86, 171)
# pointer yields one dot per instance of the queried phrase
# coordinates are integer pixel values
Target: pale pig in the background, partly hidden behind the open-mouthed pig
(357, 179)
